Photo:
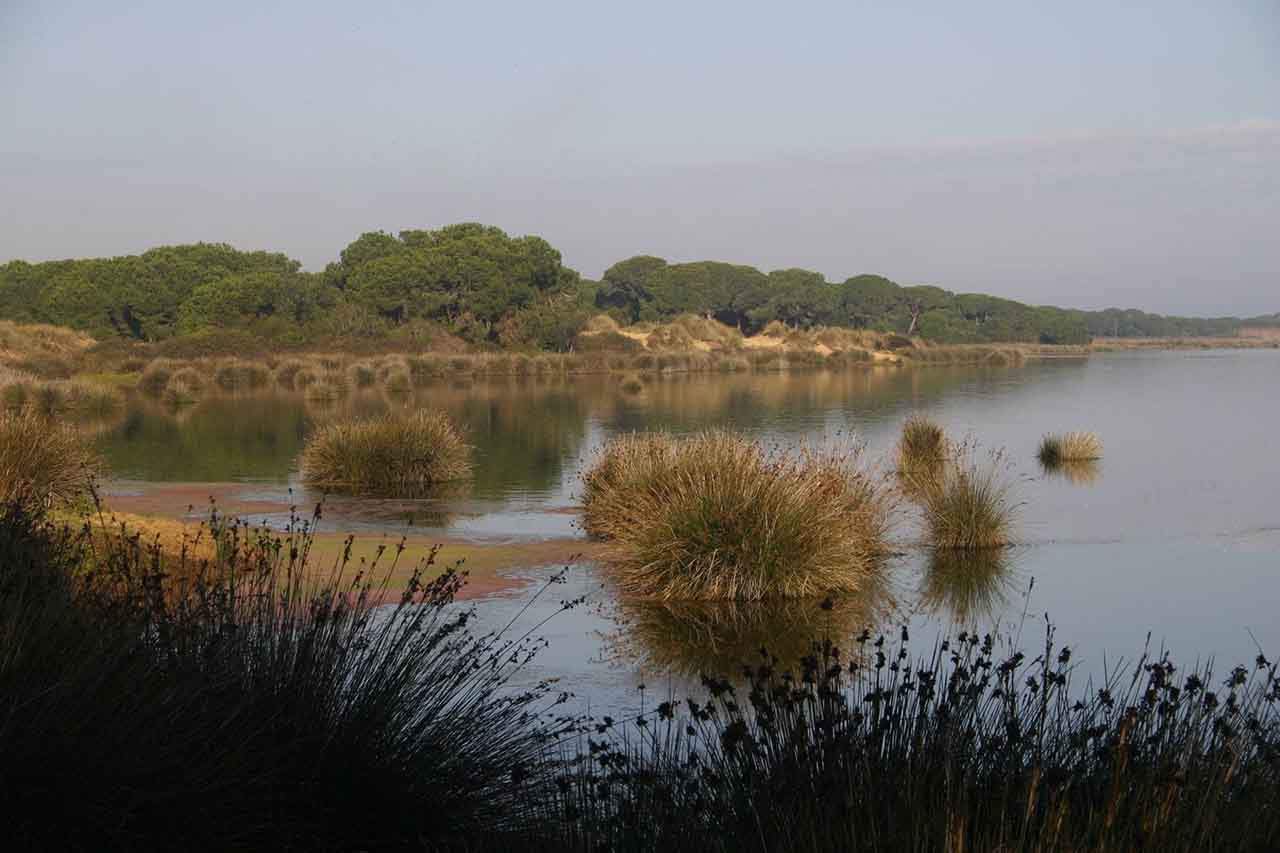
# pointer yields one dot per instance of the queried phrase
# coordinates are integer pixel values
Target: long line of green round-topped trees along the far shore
(490, 288)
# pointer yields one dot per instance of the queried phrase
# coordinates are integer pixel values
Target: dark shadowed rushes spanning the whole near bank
(244, 705)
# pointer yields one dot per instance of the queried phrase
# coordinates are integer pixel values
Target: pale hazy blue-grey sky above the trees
(1082, 154)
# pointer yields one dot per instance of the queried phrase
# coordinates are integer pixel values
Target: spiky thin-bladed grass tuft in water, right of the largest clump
(970, 505)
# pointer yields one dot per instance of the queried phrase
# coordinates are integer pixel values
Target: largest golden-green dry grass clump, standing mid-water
(716, 517)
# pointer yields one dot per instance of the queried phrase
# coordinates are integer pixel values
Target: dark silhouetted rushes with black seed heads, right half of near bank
(966, 749)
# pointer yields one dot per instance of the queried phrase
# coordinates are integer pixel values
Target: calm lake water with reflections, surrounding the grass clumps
(1177, 532)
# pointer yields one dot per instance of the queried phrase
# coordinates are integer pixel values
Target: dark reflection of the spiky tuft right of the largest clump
(968, 587)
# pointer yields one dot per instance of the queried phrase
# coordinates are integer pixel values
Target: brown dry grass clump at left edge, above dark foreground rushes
(43, 463)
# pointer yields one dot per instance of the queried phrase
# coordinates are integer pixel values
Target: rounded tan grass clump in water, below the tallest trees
(390, 455)
